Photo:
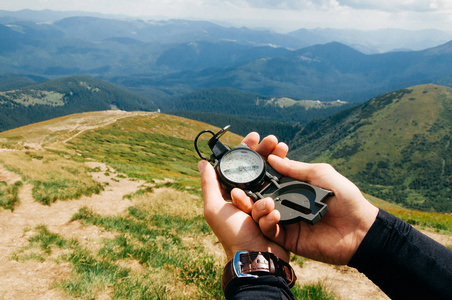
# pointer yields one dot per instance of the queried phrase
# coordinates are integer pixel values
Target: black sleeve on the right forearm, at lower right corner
(403, 262)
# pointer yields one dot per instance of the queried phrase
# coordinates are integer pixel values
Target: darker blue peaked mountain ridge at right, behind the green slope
(328, 72)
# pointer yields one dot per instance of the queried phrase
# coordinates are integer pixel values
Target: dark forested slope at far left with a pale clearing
(54, 98)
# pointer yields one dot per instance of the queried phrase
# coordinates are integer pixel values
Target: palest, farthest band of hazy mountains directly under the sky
(180, 31)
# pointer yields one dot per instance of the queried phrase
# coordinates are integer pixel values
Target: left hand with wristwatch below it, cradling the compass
(235, 229)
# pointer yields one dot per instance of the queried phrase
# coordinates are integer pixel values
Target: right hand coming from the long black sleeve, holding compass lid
(336, 237)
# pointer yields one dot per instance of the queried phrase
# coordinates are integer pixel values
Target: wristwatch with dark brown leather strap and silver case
(253, 264)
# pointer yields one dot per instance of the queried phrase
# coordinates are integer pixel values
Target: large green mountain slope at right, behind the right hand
(396, 146)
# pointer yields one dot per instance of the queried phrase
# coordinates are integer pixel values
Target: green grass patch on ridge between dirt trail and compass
(147, 147)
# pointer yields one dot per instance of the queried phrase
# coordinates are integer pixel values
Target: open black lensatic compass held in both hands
(244, 168)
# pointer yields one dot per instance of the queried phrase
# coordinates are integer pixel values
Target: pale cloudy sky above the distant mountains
(281, 16)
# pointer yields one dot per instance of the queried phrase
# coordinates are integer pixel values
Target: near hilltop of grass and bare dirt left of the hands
(100, 200)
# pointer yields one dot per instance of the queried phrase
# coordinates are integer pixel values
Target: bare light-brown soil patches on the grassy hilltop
(32, 279)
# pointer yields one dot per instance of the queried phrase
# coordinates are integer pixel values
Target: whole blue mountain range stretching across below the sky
(159, 59)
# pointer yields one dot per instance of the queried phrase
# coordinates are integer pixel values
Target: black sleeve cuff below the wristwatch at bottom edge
(264, 287)
